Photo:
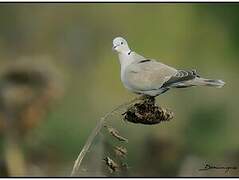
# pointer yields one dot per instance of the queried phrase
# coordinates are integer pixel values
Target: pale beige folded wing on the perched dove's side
(148, 74)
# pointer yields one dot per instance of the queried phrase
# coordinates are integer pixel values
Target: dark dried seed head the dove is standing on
(147, 112)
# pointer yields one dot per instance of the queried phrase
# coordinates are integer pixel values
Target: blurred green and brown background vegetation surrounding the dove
(76, 39)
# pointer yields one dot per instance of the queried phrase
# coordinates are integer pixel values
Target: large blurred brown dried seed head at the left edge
(28, 89)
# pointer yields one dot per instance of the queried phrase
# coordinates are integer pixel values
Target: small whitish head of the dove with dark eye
(120, 45)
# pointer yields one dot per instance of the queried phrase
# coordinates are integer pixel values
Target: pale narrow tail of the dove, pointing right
(208, 82)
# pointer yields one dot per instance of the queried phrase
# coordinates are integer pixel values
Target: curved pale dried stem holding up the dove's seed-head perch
(93, 134)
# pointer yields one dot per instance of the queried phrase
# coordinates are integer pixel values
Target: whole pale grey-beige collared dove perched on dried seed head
(150, 77)
